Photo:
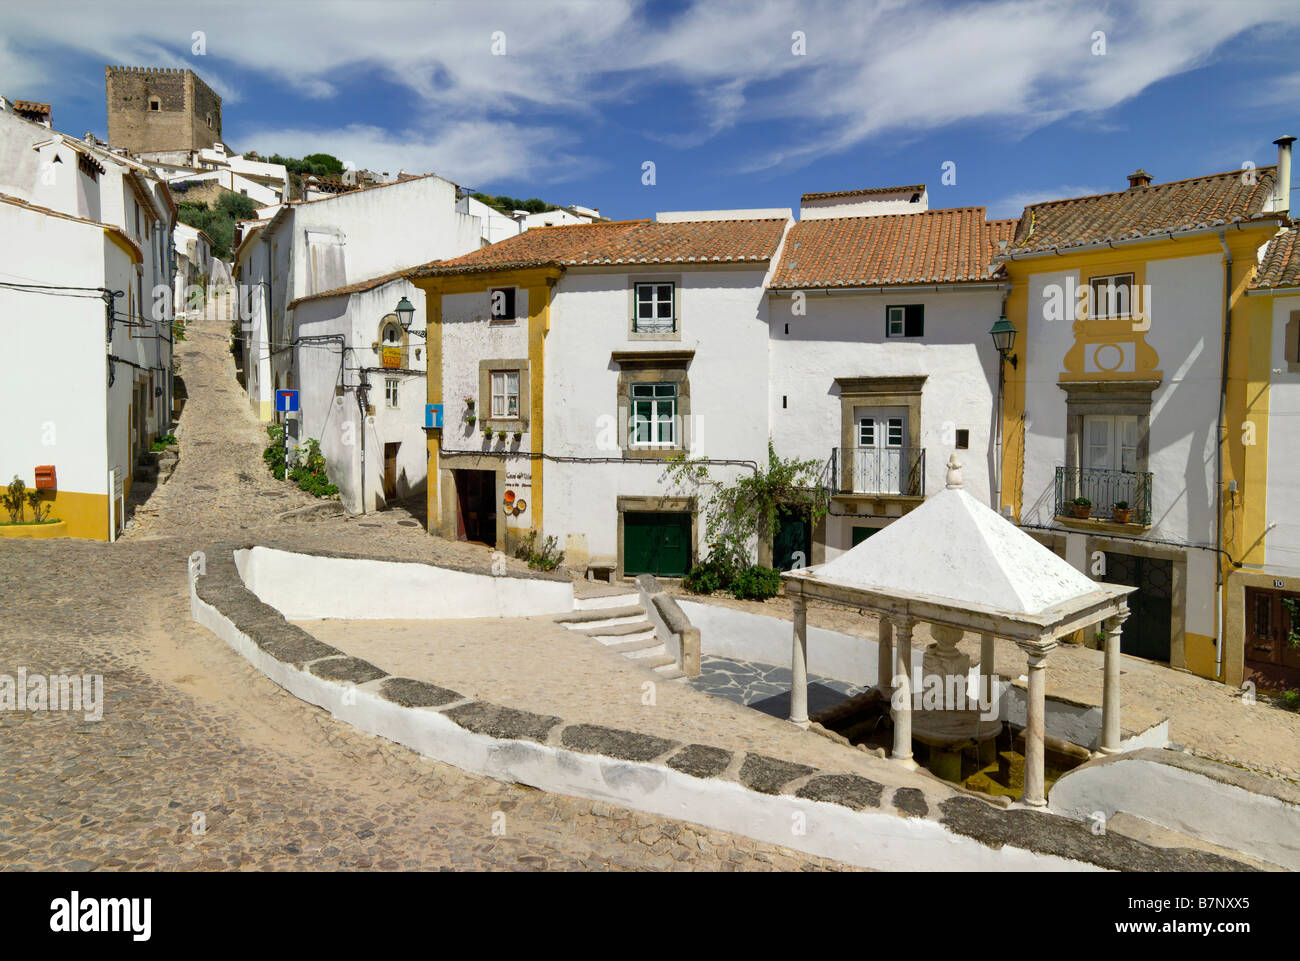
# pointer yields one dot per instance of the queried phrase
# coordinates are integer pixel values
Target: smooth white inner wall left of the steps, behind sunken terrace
(304, 587)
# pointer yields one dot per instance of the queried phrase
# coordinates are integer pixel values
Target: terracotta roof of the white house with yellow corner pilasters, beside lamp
(622, 243)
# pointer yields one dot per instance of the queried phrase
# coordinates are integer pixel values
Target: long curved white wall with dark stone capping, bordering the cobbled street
(833, 815)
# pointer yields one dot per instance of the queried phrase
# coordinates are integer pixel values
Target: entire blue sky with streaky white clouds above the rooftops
(713, 93)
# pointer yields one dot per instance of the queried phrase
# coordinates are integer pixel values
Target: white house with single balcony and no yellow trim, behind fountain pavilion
(881, 362)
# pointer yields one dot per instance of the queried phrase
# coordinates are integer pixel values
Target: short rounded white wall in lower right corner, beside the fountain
(1186, 802)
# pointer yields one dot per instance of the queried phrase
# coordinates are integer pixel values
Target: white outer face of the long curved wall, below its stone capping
(879, 841)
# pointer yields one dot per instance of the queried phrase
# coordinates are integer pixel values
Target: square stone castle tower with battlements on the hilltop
(155, 109)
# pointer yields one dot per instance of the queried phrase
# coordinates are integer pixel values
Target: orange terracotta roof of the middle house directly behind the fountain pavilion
(947, 246)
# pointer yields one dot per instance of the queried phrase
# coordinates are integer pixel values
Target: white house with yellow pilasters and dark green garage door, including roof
(577, 361)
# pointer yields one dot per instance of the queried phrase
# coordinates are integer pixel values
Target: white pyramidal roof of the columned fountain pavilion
(957, 552)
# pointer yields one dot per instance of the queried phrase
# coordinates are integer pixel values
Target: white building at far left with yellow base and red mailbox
(86, 241)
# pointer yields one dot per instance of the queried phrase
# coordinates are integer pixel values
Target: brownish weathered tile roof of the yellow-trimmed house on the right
(1160, 209)
